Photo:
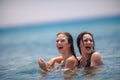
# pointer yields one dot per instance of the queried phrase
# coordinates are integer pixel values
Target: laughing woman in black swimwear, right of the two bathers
(89, 57)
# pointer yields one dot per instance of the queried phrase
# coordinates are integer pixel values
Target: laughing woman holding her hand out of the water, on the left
(67, 60)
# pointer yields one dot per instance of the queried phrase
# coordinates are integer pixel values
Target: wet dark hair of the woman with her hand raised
(70, 40)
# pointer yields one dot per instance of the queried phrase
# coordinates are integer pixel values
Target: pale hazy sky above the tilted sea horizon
(15, 12)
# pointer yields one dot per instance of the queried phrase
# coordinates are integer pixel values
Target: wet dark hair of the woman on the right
(80, 37)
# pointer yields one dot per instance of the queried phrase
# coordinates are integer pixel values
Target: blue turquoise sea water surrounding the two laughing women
(20, 49)
